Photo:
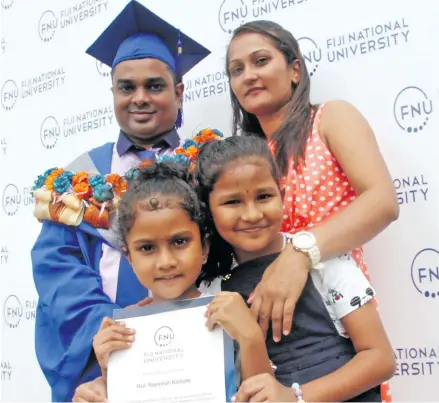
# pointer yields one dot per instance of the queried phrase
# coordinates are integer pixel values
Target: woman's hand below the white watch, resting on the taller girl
(275, 297)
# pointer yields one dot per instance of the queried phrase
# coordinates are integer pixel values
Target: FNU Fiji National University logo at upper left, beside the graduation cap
(49, 22)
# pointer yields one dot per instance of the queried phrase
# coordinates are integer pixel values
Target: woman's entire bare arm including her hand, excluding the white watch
(353, 144)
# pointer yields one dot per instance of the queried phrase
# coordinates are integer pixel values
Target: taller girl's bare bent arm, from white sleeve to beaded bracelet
(373, 364)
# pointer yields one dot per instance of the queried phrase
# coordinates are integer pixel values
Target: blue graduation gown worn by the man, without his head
(73, 301)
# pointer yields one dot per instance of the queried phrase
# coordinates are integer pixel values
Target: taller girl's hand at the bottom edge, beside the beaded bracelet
(264, 388)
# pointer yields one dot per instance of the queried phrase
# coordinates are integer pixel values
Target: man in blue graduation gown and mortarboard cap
(79, 272)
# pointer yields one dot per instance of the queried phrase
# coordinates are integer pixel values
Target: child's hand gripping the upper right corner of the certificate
(229, 311)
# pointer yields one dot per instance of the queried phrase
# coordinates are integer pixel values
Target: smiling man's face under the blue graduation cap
(146, 98)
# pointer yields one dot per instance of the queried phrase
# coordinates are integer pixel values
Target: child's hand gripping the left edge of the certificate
(111, 336)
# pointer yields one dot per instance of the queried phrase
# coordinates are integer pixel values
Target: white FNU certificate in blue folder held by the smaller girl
(174, 357)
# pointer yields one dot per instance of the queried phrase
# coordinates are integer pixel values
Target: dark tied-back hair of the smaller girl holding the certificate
(161, 178)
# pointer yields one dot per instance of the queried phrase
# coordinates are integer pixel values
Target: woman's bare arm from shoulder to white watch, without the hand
(353, 144)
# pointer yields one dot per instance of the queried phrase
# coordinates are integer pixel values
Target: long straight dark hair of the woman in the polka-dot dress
(290, 139)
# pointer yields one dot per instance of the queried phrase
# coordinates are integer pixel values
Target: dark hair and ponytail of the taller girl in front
(211, 162)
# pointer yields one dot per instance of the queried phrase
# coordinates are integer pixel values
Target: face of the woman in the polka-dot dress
(259, 75)
